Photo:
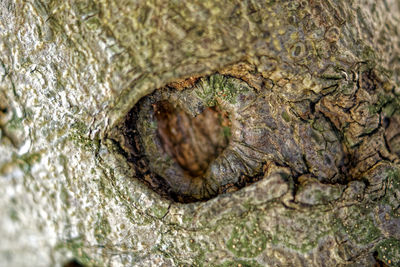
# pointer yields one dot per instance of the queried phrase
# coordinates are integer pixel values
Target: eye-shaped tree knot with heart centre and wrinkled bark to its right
(182, 139)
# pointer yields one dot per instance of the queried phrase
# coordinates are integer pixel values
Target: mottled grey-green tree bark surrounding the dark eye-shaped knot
(325, 121)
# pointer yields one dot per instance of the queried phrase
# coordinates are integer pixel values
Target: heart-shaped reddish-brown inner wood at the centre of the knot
(193, 142)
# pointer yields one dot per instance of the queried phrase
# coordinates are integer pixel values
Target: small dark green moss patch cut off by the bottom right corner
(389, 251)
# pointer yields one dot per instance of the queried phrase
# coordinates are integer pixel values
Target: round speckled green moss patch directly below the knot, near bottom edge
(247, 241)
